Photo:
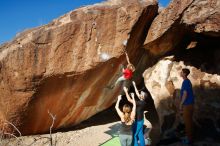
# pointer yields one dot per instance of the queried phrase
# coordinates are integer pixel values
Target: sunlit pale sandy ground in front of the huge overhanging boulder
(90, 136)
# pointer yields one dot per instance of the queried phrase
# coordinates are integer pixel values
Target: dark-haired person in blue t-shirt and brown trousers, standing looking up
(186, 105)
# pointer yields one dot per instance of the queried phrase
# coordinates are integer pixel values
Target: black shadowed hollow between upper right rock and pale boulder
(199, 51)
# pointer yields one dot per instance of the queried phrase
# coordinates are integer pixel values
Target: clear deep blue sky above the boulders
(18, 15)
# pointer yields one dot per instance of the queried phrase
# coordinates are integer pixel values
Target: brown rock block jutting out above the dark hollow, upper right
(180, 18)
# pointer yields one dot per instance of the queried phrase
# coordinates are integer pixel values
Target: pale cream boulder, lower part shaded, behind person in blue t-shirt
(164, 82)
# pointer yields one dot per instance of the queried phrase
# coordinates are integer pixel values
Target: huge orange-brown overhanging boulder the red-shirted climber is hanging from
(64, 66)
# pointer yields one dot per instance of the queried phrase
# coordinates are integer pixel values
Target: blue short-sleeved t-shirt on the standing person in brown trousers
(187, 86)
